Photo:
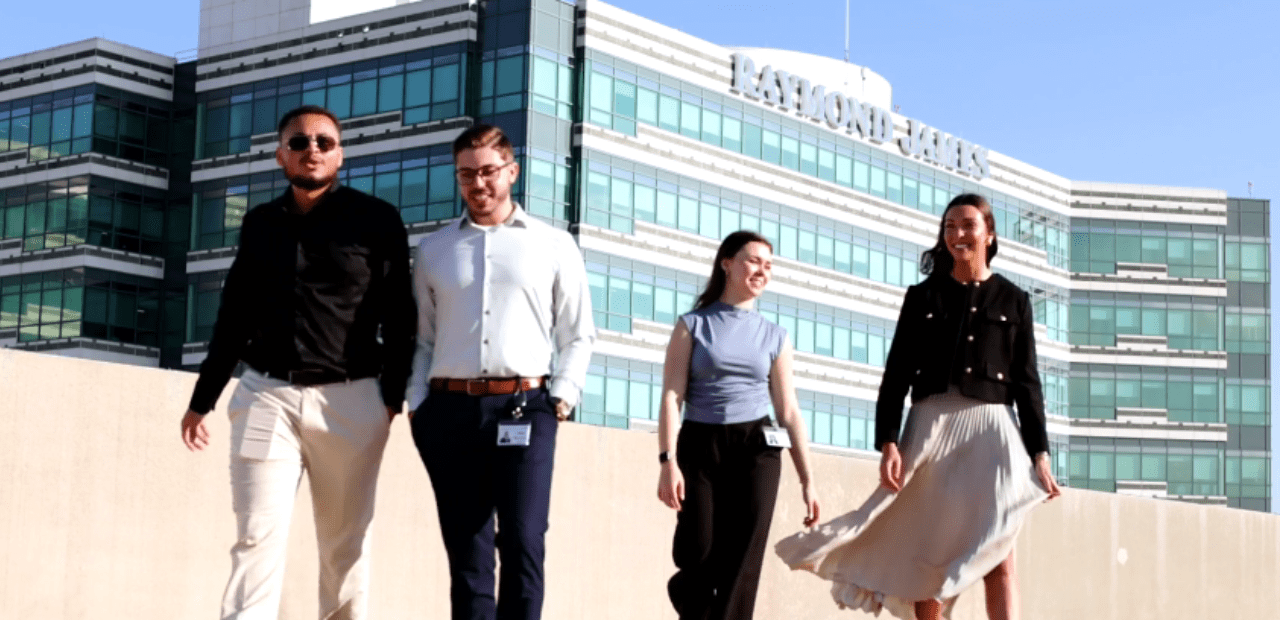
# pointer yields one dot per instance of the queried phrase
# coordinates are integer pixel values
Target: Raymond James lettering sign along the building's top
(870, 122)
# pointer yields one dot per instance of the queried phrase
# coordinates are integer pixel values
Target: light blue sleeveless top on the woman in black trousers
(729, 371)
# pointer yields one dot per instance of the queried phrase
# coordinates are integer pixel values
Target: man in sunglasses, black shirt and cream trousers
(321, 273)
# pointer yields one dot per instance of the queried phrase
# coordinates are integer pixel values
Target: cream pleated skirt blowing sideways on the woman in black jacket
(970, 485)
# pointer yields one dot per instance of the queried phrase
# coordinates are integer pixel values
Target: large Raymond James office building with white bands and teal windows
(650, 145)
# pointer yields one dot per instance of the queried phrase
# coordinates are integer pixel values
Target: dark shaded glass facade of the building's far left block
(131, 203)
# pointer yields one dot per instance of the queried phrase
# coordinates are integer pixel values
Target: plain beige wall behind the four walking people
(106, 516)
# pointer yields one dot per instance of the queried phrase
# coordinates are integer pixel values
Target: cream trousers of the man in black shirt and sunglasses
(336, 434)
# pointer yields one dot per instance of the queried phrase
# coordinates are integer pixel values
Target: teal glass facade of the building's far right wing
(1236, 327)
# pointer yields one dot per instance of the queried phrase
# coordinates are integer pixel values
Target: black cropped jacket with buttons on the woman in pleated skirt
(980, 338)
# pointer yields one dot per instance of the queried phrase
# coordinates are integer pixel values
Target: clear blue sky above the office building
(1158, 93)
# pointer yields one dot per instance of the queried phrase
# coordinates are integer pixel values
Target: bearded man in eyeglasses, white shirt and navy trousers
(504, 343)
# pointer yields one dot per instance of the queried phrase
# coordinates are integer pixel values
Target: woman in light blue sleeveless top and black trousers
(726, 364)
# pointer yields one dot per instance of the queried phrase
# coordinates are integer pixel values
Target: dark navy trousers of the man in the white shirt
(474, 481)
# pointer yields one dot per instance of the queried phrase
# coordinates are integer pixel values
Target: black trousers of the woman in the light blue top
(732, 485)
